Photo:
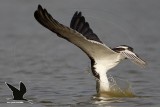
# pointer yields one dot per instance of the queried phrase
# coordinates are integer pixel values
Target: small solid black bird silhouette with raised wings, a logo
(18, 94)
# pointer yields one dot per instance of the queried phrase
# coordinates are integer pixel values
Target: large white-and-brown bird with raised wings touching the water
(103, 58)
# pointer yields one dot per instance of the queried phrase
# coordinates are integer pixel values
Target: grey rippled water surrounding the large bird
(56, 73)
